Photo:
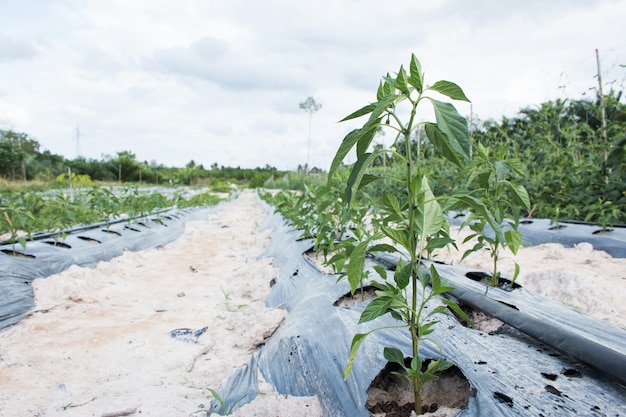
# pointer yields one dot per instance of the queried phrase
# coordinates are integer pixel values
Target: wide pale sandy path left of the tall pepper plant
(100, 339)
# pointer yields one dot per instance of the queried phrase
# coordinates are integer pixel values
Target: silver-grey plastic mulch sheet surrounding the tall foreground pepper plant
(497, 368)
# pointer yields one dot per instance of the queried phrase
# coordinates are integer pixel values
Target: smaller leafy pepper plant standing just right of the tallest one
(496, 201)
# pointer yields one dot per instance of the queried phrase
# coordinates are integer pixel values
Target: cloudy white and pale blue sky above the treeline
(221, 81)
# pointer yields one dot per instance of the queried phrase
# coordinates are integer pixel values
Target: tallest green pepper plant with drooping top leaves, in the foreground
(413, 218)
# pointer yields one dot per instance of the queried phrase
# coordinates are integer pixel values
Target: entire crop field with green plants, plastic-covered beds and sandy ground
(393, 285)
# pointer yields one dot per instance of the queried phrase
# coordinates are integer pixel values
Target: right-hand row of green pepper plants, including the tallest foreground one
(364, 209)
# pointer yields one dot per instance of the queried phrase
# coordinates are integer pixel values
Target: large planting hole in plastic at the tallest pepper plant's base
(391, 394)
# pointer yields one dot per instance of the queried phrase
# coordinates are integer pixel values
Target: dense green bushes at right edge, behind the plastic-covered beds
(562, 151)
